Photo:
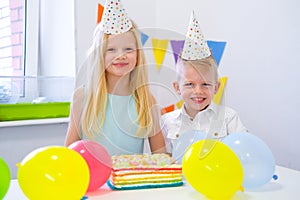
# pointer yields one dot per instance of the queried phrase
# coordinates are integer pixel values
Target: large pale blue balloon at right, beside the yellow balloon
(257, 159)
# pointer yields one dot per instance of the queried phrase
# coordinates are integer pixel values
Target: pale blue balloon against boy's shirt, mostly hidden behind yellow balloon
(185, 140)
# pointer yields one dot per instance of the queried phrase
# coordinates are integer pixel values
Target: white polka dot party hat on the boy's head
(195, 46)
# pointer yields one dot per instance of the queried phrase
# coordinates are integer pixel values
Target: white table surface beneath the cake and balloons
(287, 186)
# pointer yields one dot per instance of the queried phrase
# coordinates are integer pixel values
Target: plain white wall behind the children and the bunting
(260, 58)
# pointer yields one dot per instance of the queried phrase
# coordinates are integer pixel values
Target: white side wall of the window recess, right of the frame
(56, 50)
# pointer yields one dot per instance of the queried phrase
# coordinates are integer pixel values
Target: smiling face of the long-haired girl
(120, 54)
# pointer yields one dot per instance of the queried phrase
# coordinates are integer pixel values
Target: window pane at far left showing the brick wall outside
(11, 49)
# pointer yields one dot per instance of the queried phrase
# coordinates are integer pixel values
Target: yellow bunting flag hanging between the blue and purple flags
(159, 50)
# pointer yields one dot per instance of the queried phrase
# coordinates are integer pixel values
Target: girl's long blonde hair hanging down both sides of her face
(93, 115)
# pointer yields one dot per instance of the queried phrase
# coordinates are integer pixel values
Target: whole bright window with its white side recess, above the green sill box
(37, 51)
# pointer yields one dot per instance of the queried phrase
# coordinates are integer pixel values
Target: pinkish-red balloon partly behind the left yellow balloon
(98, 161)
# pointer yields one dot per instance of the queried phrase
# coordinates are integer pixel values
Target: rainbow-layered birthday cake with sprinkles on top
(144, 171)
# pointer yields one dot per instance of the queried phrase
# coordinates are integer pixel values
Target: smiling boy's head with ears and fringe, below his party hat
(196, 87)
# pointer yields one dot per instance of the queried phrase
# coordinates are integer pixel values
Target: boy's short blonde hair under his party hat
(205, 64)
